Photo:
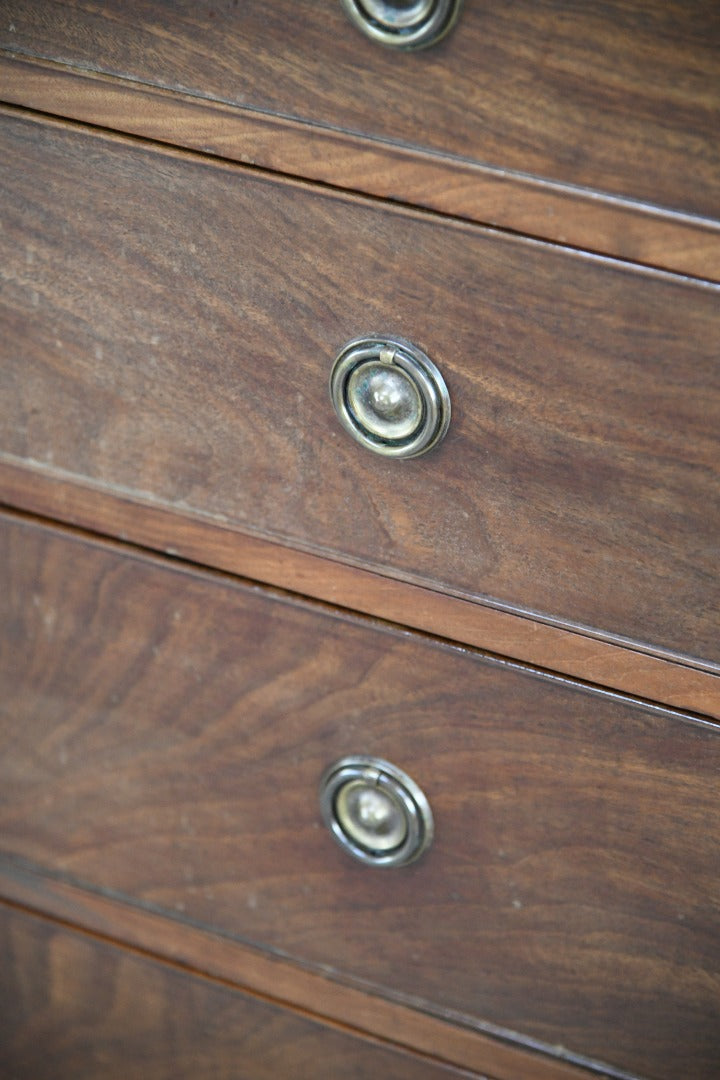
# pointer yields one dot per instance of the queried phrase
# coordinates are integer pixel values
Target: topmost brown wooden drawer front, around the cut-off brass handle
(620, 98)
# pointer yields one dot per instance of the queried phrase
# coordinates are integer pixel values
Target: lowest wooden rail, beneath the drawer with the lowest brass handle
(280, 980)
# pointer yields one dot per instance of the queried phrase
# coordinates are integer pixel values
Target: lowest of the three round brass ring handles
(375, 812)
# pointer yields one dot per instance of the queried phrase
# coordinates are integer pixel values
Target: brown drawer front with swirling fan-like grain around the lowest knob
(165, 733)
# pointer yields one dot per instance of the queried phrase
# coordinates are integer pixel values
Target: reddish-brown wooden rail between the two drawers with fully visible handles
(583, 657)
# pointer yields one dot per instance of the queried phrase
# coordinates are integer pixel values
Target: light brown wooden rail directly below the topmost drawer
(566, 214)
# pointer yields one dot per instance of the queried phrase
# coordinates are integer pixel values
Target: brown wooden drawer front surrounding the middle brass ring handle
(168, 330)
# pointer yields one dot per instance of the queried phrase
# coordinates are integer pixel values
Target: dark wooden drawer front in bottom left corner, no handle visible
(76, 1007)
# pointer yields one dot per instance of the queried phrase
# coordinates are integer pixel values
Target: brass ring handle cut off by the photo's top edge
(404, 24)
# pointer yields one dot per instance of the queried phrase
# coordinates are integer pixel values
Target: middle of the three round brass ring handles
(390, 397)
